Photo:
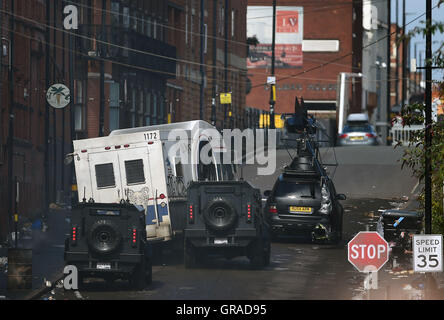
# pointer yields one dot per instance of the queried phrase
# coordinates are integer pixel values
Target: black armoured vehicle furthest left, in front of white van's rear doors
(109, 241)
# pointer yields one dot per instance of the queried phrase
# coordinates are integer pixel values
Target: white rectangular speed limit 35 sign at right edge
(427, 253)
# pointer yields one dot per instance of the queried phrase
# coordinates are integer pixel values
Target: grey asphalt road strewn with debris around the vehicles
(372, 180)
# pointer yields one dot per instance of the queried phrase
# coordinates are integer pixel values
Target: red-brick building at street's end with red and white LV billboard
(325, 31)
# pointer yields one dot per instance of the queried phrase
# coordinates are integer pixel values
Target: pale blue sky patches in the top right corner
(415, 8)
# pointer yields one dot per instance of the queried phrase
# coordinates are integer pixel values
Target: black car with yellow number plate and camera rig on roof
(303, 200)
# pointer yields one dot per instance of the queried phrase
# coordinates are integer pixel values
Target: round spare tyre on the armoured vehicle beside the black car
(220, 215)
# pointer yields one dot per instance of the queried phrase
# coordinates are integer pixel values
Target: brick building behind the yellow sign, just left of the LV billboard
(221, 67)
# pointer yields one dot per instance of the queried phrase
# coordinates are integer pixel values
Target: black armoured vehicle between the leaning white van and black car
(225, 218)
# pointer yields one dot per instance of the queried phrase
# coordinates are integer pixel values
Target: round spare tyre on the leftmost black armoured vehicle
(104, 237)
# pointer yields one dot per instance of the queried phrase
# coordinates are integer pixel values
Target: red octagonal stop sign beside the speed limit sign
(368, 251)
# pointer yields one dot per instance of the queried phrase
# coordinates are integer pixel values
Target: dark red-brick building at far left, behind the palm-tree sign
(31, 132)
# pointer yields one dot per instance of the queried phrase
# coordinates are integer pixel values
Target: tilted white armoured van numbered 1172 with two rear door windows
(138, 165)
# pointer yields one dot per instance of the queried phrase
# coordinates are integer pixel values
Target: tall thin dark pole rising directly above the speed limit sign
(428, 122)
